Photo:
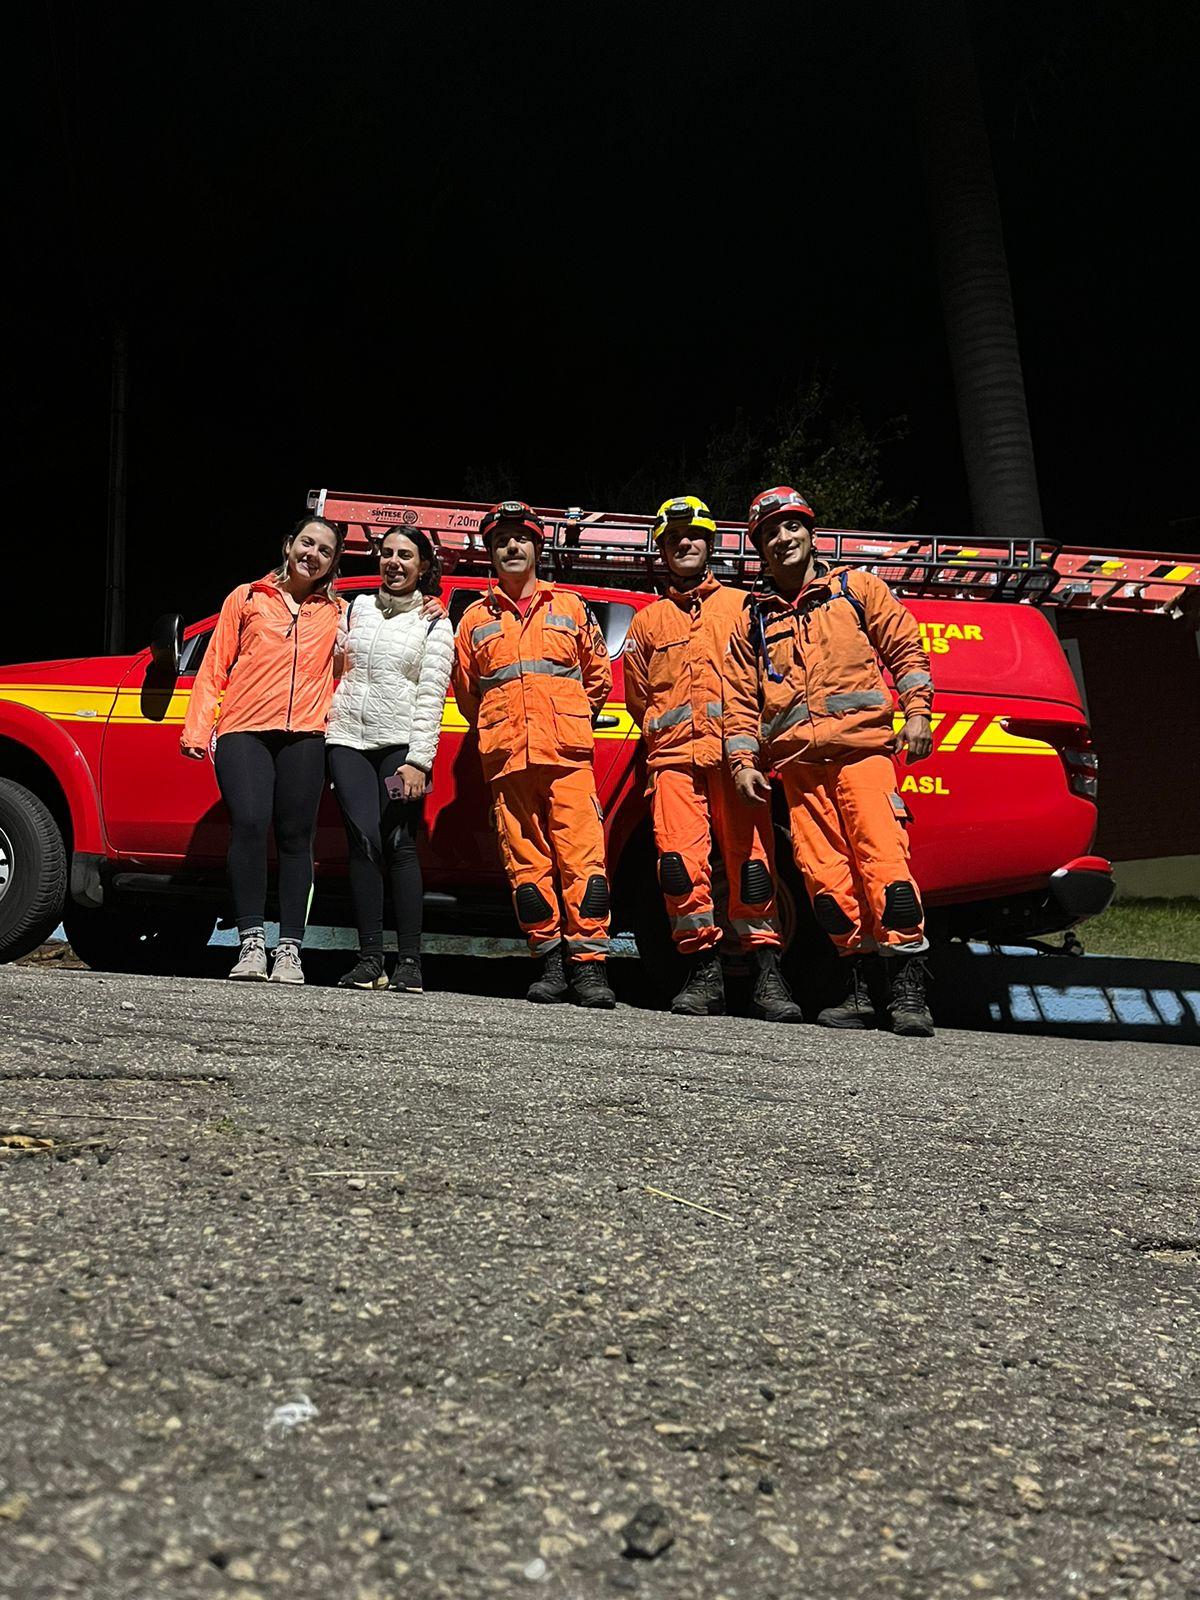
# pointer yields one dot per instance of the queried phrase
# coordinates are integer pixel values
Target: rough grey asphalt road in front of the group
(935, 1337)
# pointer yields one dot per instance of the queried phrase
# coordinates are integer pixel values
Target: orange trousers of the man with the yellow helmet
(687, 809)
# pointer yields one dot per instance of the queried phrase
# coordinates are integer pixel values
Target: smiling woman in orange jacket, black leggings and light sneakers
(268, 681)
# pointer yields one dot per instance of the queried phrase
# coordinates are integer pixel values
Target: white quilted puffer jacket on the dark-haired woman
(393, 689)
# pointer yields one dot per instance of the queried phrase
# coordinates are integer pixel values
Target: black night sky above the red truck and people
(414, 249)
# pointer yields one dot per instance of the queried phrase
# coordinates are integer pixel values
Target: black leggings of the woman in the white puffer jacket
(382, 836)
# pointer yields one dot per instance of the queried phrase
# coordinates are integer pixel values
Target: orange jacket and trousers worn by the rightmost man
(804, 695)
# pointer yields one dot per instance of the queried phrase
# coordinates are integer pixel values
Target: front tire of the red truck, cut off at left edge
(33, 871)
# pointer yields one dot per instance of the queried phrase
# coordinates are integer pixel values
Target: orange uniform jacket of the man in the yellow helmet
(673, 666)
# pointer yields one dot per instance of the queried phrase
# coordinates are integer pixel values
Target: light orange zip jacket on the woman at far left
(265, 668)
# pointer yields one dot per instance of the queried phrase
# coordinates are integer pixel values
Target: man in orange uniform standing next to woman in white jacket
(532, 674)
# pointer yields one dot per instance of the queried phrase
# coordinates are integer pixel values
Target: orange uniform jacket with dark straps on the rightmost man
(802, 678)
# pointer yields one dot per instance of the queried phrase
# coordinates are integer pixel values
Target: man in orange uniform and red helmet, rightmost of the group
(804, 695)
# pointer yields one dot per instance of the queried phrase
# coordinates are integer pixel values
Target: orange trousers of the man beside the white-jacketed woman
(550, 833)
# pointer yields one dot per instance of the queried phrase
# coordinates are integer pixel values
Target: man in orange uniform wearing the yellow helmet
(673, 668)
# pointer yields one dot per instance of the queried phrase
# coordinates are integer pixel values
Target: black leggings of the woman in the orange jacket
(271, 777)
